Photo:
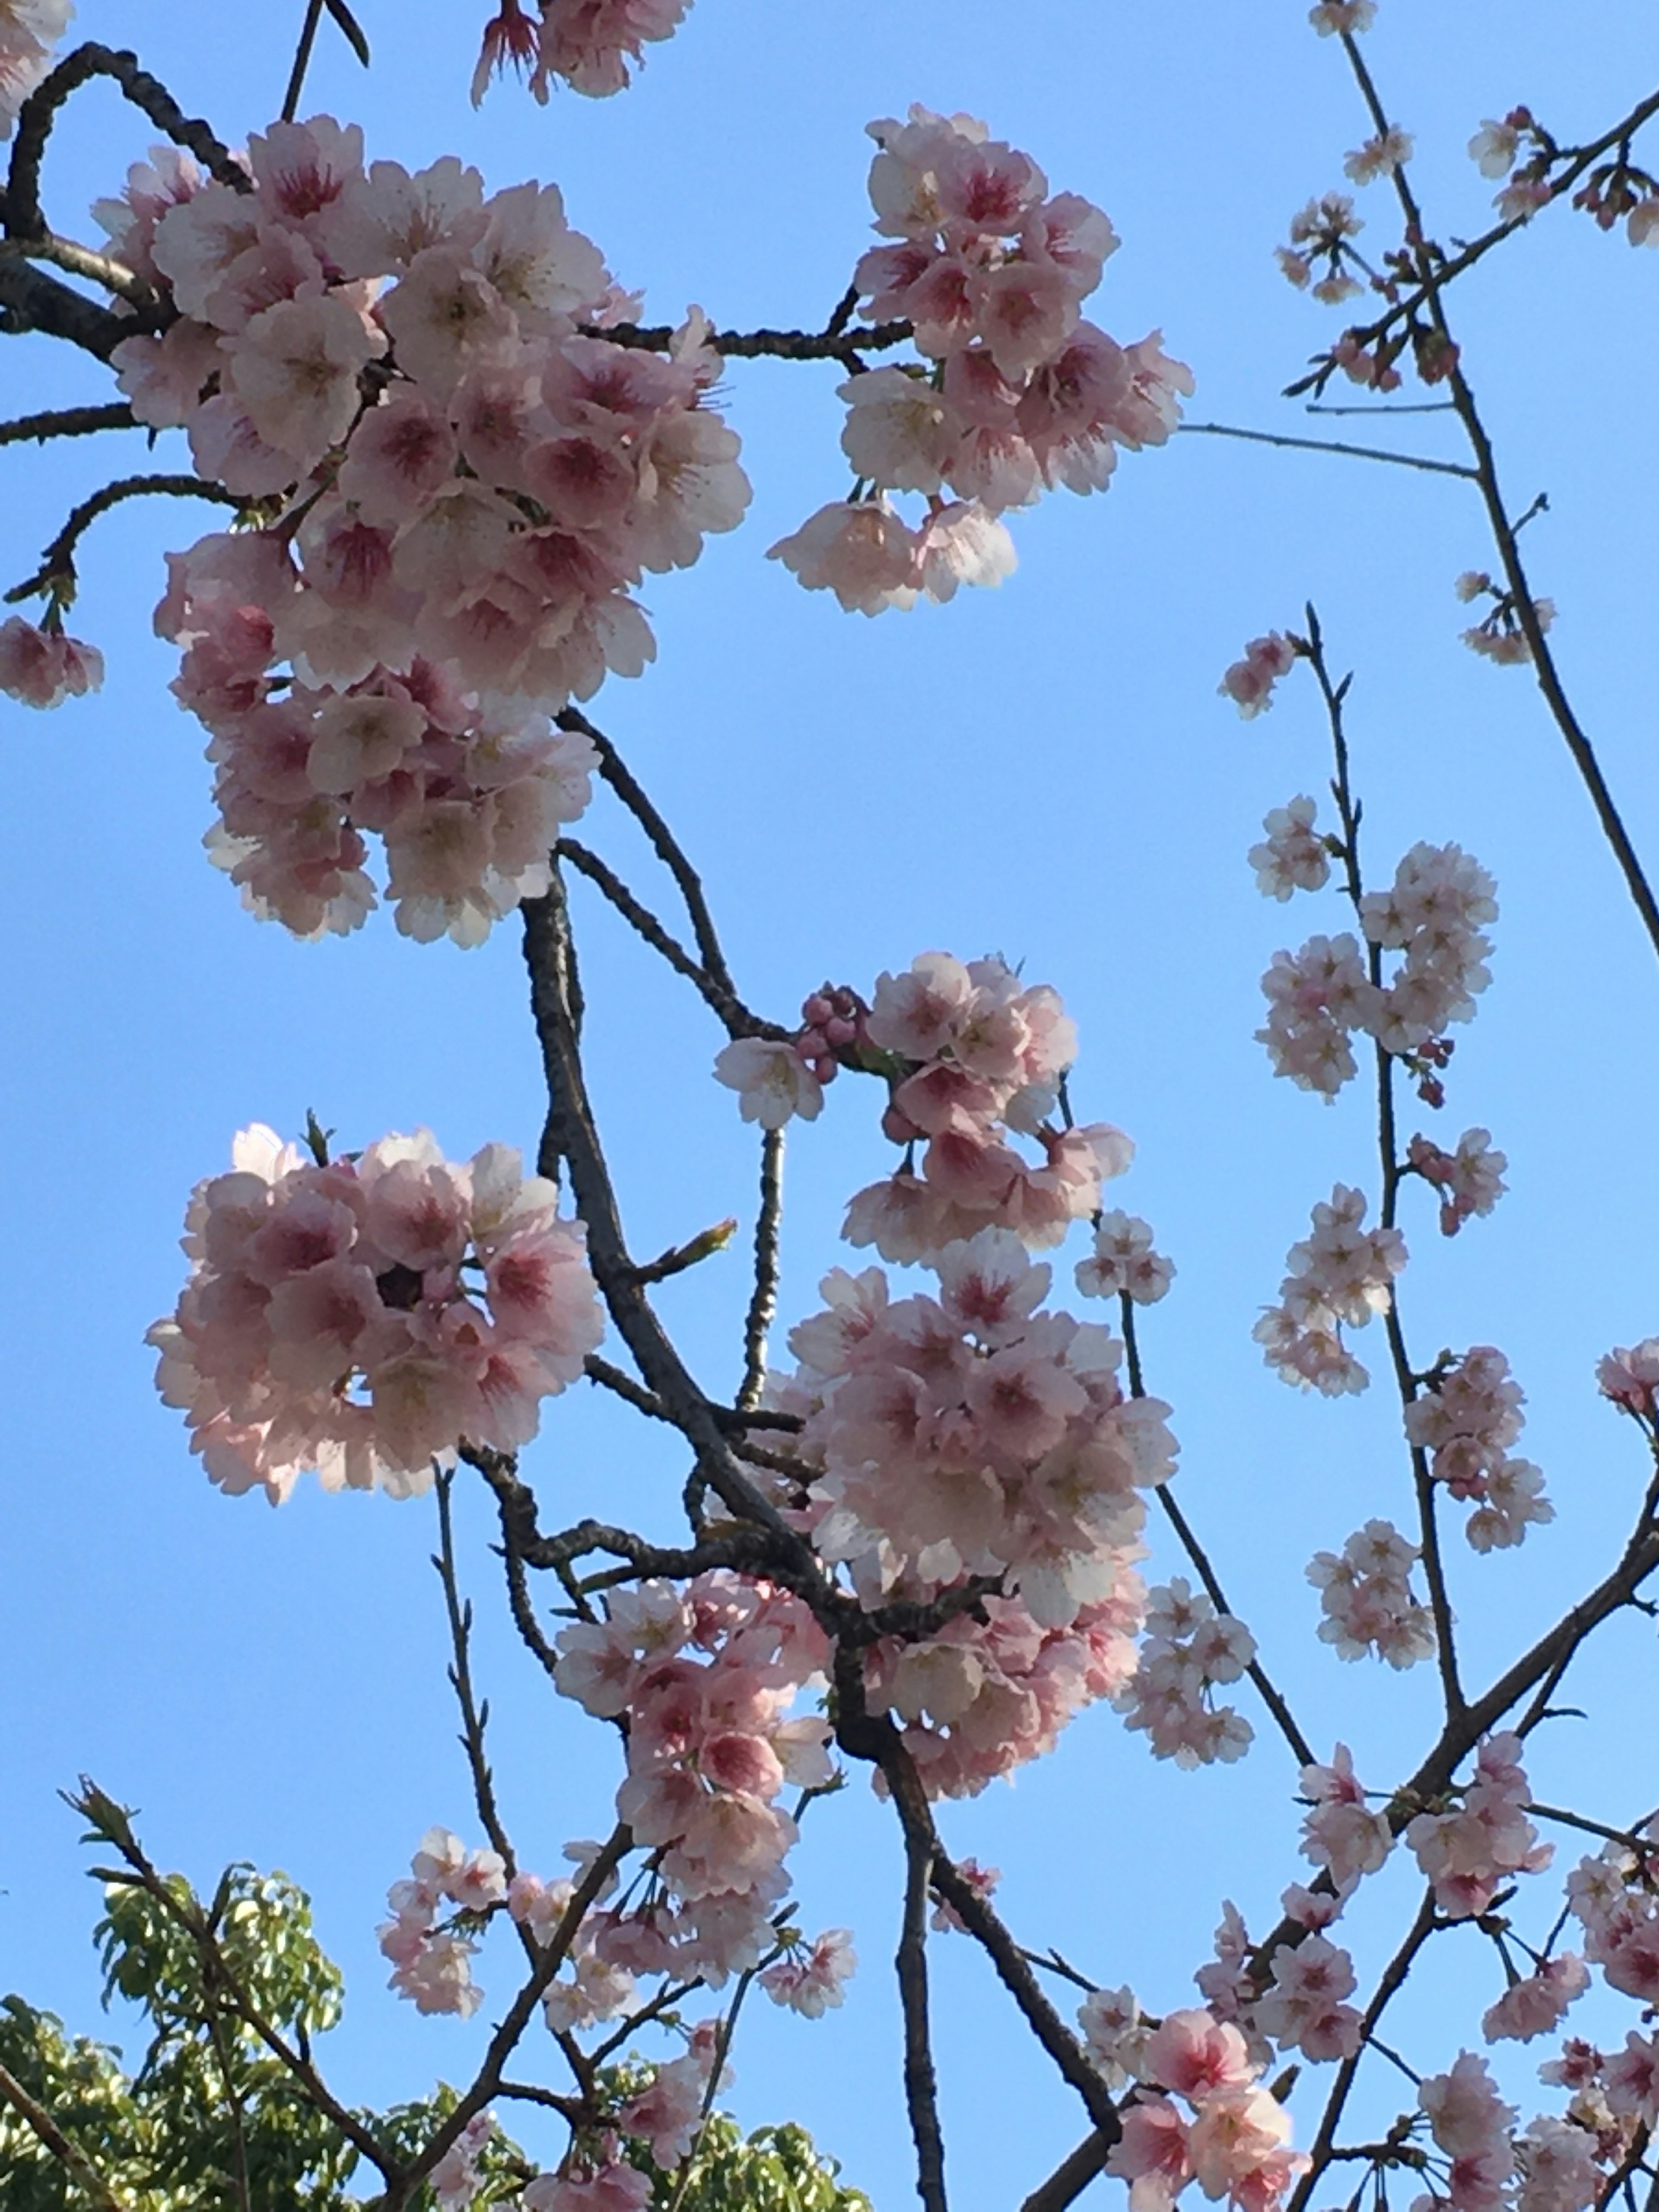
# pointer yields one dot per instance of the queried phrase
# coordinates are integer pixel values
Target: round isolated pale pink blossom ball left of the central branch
(368, 1315)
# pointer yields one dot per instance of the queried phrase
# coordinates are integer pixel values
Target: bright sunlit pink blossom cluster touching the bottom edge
(1235, 2140)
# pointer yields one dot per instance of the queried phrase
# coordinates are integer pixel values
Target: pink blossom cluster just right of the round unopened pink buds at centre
(974, 1058)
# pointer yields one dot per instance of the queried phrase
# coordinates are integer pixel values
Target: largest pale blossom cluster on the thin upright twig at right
(1434, 915)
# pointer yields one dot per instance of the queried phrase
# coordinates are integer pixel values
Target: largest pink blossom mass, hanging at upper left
(459, 490)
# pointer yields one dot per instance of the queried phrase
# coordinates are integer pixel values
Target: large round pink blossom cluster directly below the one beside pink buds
(974, 1434)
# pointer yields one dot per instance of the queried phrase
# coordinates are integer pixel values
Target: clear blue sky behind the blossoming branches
(1043, 771)
